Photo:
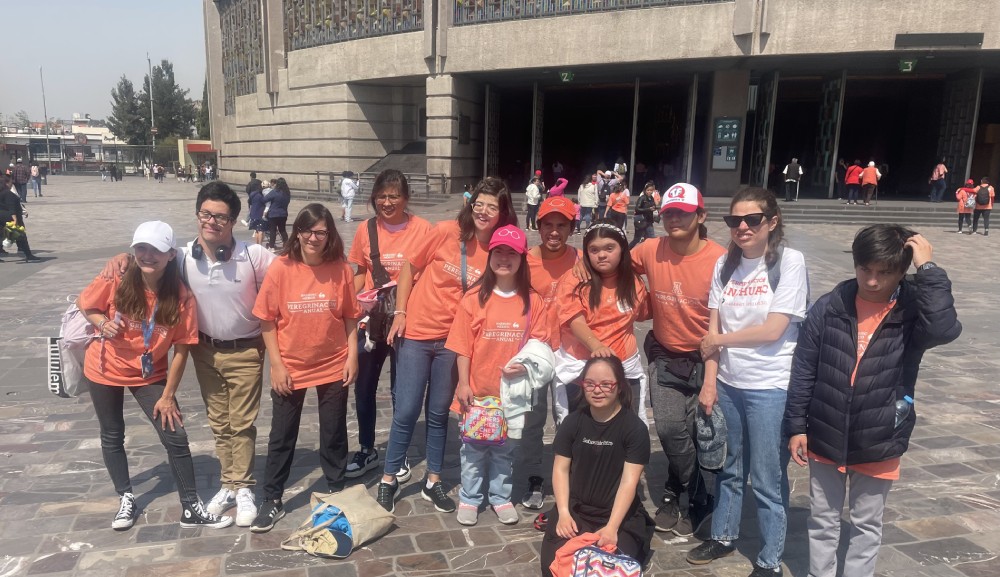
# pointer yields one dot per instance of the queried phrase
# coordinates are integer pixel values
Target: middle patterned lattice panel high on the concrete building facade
(311, 23)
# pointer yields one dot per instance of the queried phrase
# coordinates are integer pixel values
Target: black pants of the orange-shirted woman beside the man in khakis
(285, 418)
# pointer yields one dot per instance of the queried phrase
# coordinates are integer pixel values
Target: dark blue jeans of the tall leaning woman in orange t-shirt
(427, 381)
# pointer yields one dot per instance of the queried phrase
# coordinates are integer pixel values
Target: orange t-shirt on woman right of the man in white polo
(312, 307)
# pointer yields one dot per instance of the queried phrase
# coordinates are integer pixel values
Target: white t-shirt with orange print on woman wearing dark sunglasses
(745, 302)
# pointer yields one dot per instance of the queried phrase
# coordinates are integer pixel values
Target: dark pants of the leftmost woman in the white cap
(108, 403)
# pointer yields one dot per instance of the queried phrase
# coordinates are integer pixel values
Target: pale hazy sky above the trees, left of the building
(85, 47)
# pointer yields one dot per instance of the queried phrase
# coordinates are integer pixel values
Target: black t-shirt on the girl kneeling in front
(599, 452)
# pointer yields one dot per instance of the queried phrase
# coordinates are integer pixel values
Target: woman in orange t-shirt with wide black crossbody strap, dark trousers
(399, 234)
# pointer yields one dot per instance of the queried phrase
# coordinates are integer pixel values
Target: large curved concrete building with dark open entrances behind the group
(714, 92)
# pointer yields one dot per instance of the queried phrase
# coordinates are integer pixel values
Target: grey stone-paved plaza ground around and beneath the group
(56, 501)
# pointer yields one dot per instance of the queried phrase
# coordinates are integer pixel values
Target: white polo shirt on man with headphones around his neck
(227, 291)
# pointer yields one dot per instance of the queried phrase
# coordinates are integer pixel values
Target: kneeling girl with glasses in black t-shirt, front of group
(600, 453)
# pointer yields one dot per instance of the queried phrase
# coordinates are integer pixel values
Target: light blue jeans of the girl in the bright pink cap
(490, 463)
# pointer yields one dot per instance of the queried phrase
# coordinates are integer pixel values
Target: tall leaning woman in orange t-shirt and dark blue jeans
(451, 259)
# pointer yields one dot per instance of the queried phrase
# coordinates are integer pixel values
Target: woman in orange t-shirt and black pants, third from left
(309, 320)
